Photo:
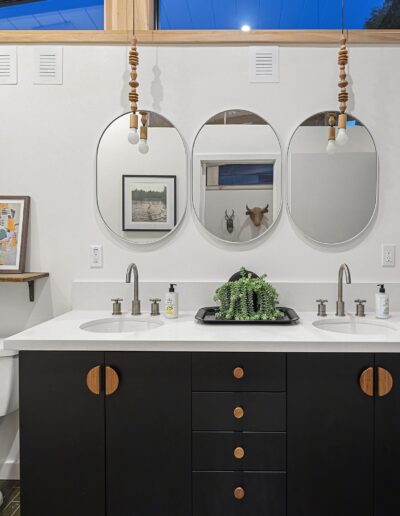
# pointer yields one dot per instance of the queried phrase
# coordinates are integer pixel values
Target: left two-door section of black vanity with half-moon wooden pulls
(113, 442)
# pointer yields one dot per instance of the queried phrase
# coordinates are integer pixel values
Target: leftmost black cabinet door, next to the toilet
(62, 435)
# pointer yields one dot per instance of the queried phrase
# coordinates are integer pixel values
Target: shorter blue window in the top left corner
(52, 15)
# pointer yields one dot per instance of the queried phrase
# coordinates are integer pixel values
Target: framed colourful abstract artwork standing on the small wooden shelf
(14, 220)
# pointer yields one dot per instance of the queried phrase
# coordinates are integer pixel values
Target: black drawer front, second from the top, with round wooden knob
(239, 411)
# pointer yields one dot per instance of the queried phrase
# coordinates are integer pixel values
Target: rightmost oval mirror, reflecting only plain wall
(332, 197)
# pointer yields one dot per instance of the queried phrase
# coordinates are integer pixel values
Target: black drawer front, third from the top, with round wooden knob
(238, 451)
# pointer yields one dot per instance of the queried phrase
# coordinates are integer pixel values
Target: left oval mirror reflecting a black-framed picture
(141, 197)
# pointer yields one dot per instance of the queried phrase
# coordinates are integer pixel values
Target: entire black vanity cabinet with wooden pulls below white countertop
(209, 434)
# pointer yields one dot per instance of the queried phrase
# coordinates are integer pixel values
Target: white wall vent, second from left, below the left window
(48, 65)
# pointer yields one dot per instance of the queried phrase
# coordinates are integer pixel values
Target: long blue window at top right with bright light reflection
(277, 14)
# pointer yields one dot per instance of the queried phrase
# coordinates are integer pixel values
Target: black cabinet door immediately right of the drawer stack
(330, 436)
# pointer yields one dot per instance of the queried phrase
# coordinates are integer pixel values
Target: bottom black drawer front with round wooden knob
(263, 494)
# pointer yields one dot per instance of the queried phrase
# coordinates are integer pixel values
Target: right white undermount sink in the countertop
(355, 327)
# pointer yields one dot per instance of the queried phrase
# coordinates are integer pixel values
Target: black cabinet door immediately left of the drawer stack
(148, 433)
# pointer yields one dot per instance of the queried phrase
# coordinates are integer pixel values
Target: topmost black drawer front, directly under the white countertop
(239, 372)
